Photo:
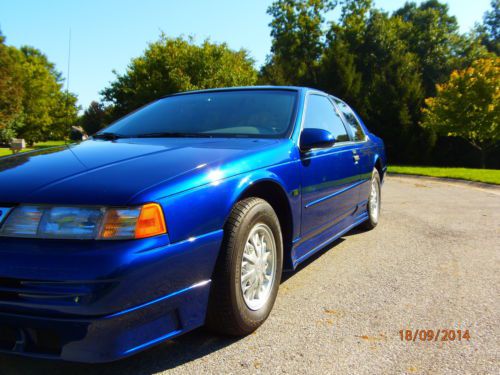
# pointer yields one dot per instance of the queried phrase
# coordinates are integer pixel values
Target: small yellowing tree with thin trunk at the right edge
(468, 106)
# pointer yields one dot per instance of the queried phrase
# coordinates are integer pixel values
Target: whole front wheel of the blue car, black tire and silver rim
(230, 310)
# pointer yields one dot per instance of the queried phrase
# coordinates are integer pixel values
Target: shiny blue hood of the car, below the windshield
(117, 172)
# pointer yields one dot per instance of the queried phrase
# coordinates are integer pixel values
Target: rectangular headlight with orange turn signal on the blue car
(85, 222)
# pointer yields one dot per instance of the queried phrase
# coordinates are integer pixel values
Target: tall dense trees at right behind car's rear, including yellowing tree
(387, 65)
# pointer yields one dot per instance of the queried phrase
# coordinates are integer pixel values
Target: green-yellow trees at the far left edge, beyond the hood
(33, 103)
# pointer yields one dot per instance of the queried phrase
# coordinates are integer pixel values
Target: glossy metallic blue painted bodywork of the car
(102, 300)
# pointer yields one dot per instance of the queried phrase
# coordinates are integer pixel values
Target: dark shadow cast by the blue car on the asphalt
(166, 356)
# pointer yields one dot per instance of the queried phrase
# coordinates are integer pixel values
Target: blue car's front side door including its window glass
(330, 175)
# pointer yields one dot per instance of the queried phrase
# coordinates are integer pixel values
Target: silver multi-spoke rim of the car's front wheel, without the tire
(258, 266)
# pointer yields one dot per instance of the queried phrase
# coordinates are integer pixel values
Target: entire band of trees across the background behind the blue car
(430, 91)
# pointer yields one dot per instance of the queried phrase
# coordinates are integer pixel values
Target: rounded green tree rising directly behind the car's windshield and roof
(173, 65)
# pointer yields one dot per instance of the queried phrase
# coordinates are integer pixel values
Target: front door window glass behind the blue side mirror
(321, 114)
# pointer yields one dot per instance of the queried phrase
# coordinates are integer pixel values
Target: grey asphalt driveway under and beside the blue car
(432, 263)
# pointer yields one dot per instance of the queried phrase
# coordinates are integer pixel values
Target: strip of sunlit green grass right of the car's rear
(490, 176)
